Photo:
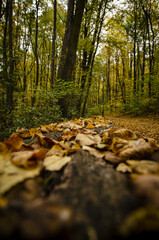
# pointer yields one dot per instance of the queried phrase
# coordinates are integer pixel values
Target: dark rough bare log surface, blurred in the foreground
(87, 199)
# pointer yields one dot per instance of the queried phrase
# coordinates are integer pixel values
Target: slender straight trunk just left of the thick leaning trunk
(53, 57)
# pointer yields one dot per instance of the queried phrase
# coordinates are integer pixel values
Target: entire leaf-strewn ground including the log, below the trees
(91, 179)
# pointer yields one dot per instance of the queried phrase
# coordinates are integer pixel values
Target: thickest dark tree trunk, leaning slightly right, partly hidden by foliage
(68, 55)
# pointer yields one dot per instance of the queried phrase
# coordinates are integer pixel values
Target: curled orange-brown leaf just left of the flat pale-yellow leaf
(28, 159)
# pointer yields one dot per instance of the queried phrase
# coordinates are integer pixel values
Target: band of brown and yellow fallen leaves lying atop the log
(122, 148)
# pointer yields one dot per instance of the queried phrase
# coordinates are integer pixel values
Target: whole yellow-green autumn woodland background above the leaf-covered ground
(65, 59)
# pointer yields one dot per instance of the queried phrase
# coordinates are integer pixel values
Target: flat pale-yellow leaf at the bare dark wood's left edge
(55, 163)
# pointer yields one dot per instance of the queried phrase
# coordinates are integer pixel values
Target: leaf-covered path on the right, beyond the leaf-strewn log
(142, 126)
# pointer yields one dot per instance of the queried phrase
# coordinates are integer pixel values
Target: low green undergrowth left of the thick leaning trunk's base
(45, 111)
